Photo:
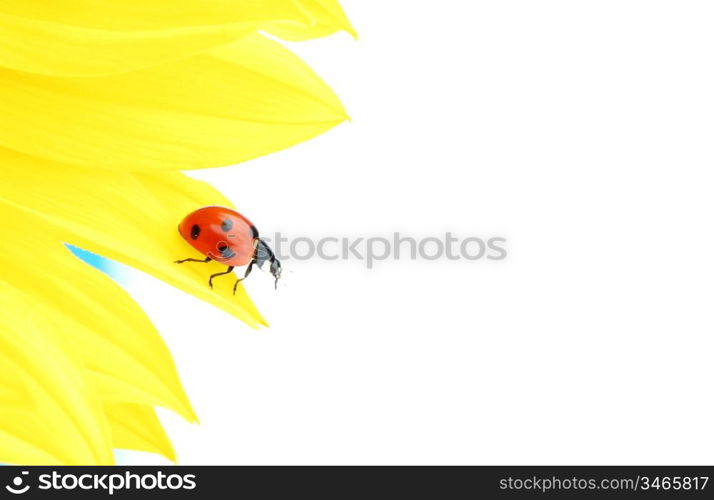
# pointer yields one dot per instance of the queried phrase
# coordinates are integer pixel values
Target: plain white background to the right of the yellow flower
(580, 131)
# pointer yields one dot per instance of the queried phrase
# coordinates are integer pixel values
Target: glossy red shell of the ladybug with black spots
(220, 233)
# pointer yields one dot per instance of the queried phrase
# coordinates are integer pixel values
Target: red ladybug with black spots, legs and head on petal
(224, 235)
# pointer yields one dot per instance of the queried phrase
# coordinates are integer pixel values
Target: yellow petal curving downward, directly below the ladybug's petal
(125, 357)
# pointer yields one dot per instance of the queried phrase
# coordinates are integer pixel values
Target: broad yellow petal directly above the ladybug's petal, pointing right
(219, 108)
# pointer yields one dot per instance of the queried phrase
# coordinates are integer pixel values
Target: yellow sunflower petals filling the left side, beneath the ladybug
(102, 104)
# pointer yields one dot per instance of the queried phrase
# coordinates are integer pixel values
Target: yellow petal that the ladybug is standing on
(131, 218)
